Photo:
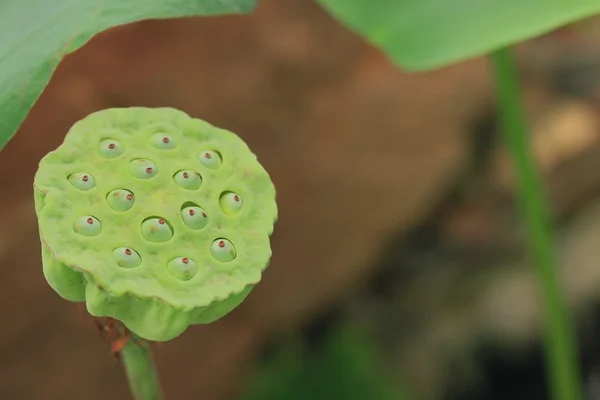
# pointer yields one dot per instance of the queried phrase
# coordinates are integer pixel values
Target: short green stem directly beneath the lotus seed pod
(140, 370)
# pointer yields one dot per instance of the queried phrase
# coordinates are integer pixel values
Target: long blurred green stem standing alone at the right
(560, 342)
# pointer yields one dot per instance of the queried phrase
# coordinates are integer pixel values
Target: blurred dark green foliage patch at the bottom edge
(346, 368)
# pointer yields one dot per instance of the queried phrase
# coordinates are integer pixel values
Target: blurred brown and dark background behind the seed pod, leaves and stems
(400, 268)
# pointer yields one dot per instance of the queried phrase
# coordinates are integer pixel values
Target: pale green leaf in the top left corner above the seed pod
(36, 34)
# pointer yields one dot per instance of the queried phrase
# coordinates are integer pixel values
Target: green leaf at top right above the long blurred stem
(427, 34)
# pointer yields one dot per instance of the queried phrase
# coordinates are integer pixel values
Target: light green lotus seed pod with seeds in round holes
(148, 246)
